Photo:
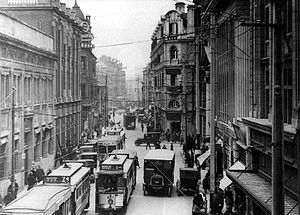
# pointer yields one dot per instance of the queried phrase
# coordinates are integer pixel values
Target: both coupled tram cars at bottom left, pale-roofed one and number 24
(66, 191)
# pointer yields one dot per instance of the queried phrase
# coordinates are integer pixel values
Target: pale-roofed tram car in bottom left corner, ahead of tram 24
(42, 199)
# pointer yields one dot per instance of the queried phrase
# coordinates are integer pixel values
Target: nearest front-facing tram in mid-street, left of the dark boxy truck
(114, 184)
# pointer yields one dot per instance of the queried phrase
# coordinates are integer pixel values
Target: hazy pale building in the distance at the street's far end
(112, 73)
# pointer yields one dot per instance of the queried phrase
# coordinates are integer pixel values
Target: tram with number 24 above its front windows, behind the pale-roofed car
(77, 177)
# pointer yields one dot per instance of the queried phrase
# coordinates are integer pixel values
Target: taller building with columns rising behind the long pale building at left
(62, 23)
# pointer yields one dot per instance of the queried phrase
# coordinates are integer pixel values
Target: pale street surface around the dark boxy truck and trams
(150, 205)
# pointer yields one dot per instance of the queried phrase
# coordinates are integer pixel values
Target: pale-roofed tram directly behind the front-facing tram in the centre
(107, 144)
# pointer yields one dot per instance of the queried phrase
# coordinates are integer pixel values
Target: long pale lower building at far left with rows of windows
(27, 70)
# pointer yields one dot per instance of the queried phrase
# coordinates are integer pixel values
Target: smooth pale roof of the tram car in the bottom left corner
(38, 200)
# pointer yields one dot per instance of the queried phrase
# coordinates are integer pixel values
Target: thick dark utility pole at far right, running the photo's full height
(277, 122)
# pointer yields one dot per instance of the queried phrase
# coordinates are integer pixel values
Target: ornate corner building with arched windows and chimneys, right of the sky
(173, 70)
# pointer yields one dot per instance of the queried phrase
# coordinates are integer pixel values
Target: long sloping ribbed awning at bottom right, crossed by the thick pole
(260, 191)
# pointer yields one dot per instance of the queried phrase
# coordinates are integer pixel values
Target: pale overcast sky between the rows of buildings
(121, 21)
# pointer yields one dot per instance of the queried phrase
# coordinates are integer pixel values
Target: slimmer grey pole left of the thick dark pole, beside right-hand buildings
(212, 108)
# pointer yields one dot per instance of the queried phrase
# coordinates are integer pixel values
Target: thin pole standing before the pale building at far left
(13, 139)
